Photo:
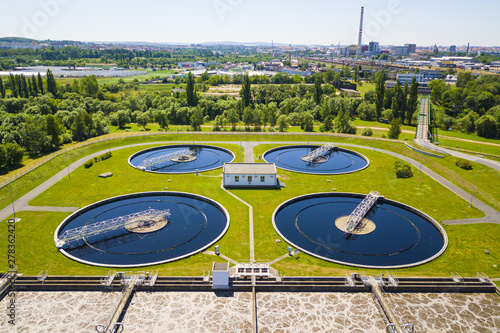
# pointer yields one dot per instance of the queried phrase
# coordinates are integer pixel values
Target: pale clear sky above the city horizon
(424, 22)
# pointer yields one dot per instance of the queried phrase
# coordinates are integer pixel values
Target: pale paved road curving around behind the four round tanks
(492, 216)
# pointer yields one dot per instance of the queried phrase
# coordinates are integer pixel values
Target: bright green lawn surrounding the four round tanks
(464, 255)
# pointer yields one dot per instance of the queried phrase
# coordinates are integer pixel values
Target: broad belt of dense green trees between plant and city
(38, 115)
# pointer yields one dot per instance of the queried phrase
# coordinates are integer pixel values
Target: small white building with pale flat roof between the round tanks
(250, 175)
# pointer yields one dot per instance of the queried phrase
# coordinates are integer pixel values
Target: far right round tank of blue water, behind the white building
(336, 161)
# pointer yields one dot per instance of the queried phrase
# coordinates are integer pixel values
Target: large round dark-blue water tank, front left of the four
(192, 224)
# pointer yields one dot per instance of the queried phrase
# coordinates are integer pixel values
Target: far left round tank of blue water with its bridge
(181, 158)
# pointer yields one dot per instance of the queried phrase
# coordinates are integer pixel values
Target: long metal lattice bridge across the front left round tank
(102, 230)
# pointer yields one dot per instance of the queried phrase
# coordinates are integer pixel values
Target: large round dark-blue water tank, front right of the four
(395, 235)
